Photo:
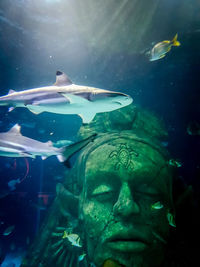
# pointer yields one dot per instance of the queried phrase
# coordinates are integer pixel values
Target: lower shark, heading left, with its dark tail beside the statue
(14, 144)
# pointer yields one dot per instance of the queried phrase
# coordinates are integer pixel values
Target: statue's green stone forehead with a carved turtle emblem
(127, 154)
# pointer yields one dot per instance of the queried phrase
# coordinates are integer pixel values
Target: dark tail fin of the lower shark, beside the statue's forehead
(68, 151)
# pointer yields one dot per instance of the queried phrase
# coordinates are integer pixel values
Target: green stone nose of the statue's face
(125, 205)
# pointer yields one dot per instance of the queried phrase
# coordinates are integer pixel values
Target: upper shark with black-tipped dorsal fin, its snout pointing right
(64, 97)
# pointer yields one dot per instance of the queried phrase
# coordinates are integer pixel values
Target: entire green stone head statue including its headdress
(117, 199)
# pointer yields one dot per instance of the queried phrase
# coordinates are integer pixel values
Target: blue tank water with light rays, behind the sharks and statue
(101, 44)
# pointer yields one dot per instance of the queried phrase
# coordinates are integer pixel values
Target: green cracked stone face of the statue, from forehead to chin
(125, 204)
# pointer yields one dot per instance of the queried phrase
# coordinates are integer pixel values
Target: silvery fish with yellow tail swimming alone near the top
(160, 49)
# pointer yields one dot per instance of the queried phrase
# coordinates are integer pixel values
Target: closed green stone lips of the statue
(127, 242)
